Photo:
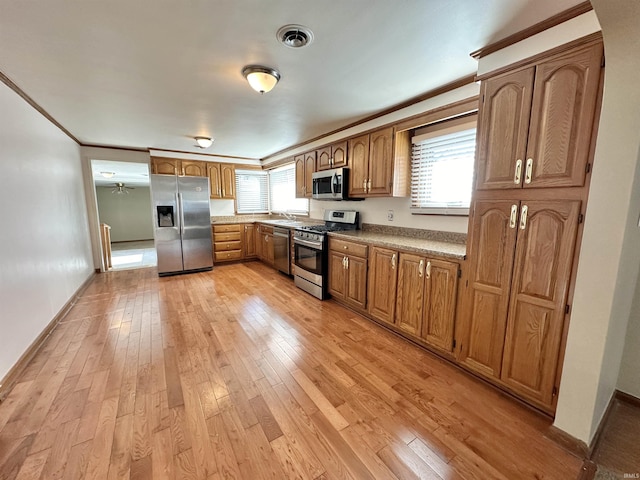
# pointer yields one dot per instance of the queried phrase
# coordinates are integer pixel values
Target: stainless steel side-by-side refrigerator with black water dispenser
(182, 223)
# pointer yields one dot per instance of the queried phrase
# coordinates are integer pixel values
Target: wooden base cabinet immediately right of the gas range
(348, 272)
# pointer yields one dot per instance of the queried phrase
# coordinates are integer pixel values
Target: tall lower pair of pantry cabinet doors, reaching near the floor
(521, 258)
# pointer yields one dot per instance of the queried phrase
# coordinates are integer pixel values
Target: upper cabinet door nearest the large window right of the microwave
(381, 162)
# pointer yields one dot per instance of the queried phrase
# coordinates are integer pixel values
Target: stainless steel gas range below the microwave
(311, 250)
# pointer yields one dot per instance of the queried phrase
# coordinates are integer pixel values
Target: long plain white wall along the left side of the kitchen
(45, 250)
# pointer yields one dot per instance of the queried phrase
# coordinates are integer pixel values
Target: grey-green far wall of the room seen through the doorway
(128, 215)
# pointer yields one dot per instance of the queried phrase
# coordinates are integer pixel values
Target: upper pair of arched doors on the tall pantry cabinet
(536, 123)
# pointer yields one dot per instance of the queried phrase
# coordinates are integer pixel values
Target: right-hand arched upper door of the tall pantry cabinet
(564, 106)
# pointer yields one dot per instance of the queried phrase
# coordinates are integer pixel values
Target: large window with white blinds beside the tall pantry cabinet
(442, 167)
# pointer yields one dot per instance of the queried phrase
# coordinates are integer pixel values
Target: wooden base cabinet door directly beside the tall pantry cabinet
(440, 304)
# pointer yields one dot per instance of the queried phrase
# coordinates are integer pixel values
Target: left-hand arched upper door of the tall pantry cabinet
(502, 133)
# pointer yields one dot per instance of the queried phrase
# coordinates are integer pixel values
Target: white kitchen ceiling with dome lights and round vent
(149, 74)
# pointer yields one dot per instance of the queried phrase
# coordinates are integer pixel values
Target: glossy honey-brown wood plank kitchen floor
(236, 374)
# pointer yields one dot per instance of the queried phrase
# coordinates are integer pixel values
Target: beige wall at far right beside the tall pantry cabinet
(606, 281)
